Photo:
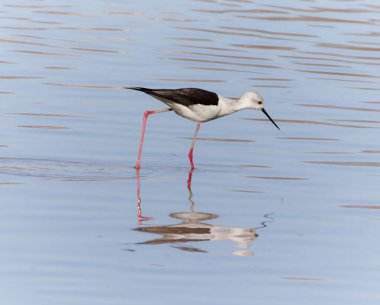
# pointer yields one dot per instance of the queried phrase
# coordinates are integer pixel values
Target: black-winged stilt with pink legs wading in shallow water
(200, 106)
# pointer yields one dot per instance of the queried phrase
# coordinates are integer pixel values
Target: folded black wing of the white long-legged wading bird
(183, 96)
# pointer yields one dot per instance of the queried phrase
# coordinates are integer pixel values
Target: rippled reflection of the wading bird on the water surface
(194, 229)
